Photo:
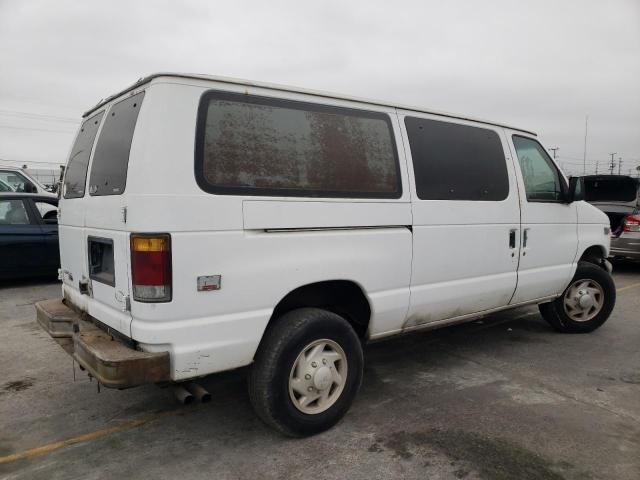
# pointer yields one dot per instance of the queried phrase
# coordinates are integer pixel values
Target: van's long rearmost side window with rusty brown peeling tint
(248, 145)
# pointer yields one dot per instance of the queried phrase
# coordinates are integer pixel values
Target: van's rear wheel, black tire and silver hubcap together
(306, 372)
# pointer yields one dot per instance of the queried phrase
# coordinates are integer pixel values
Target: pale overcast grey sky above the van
(541, 65)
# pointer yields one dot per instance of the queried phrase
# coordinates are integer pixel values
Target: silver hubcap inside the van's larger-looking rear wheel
(317, 376)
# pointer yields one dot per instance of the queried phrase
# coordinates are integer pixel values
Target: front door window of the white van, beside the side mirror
(542, 180)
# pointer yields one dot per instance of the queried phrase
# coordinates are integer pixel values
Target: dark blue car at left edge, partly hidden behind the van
(28, 238)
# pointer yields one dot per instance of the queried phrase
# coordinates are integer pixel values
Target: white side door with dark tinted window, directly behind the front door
(466, 218)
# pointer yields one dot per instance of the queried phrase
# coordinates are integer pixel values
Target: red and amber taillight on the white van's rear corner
(151, 267)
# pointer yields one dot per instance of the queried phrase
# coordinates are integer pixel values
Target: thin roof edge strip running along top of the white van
(286, 88)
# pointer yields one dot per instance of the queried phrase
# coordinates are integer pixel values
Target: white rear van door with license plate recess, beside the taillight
(106, 238)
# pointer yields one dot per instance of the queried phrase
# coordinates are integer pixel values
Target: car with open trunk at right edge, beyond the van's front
(619, 197)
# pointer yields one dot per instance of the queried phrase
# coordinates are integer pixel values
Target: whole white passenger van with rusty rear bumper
(208, 224)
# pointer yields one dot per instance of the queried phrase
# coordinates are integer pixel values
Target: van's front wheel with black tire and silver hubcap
(585, 304)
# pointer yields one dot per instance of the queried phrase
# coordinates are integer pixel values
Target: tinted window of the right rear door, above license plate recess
(111, 159)
